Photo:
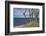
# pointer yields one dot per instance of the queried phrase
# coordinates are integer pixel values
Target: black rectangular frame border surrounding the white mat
(7, 17)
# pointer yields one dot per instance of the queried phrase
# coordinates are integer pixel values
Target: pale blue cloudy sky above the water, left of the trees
(18, 12)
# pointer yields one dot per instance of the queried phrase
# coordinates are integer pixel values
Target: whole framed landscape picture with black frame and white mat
(24, 17)
